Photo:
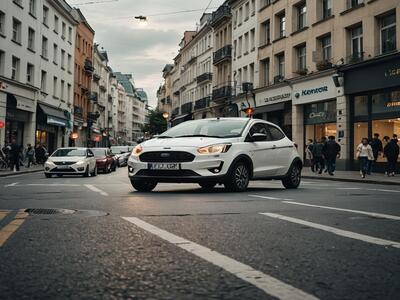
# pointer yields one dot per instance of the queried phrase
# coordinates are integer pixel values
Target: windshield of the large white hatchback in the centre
(219, 128)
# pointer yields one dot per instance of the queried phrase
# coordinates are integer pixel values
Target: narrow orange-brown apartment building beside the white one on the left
(85, 115)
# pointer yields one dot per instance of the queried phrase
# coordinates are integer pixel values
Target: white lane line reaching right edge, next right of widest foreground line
(340, 232)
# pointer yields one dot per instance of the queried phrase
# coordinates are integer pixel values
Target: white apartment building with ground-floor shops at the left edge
(36, 76)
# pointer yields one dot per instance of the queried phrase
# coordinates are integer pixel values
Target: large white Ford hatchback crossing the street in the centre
(229, 151)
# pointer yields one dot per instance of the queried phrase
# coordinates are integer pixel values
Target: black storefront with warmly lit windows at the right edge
(373, 89)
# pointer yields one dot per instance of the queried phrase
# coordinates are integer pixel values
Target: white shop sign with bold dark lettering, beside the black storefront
(314, 90)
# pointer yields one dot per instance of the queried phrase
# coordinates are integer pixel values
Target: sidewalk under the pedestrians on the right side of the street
(353, 176)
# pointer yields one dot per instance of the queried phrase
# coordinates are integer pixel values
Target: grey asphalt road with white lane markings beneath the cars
(327, 240)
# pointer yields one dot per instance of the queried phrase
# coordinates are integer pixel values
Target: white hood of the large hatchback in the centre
(189, 142)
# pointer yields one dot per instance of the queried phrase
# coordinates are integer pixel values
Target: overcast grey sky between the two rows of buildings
(142, 48)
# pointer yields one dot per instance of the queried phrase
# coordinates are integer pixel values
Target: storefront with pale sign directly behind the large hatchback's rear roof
(275, 106)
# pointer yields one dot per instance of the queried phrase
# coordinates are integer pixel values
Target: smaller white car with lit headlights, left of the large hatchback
(71, 161)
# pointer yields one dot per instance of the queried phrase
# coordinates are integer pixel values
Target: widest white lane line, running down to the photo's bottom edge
(267, 283)
